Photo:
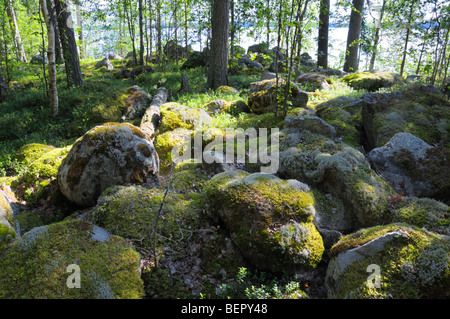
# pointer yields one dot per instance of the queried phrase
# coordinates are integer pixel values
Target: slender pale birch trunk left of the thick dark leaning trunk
(53, 90)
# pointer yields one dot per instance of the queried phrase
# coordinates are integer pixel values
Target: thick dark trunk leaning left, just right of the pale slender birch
(69, 44)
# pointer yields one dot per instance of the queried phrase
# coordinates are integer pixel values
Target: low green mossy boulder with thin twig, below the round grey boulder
(147, 214)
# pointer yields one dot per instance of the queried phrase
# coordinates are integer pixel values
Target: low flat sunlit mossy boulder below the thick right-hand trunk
(372, 80)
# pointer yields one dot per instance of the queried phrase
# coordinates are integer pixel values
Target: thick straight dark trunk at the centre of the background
(219, 44)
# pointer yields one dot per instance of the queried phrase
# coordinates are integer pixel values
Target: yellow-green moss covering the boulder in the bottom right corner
(411, 266)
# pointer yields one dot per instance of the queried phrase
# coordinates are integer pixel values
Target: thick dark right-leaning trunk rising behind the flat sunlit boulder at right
(354, 31)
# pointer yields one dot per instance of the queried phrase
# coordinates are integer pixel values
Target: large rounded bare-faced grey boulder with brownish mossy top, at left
(107, 155)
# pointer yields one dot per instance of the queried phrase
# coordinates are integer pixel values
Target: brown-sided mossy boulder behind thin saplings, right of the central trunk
(263, 96)
